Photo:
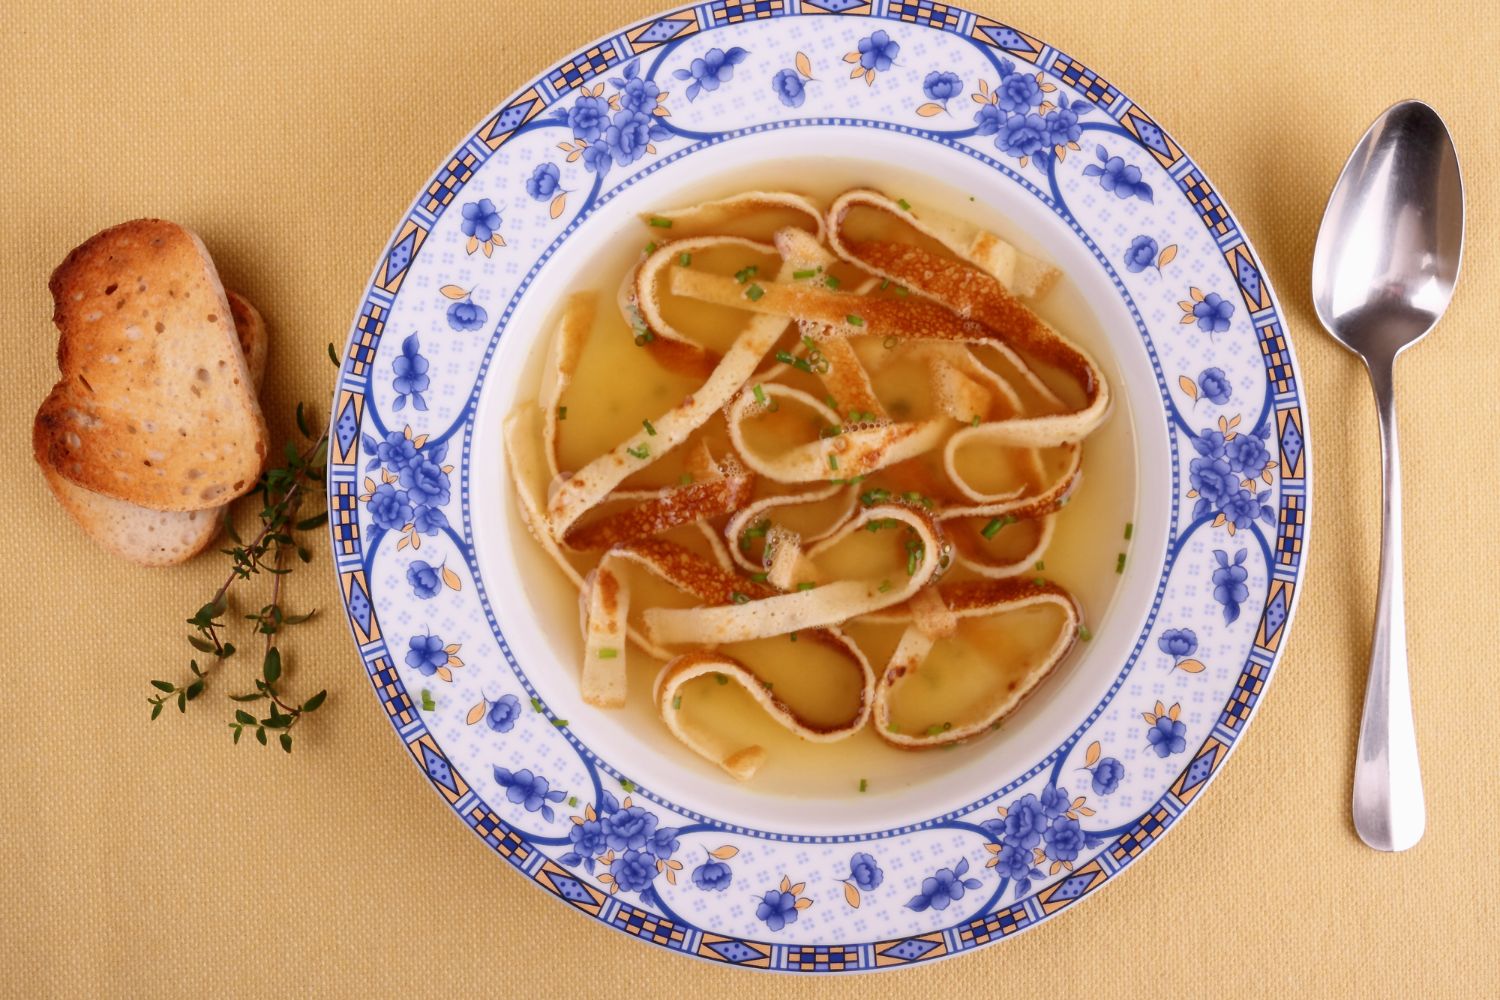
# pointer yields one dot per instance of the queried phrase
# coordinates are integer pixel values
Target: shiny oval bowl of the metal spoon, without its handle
(1393, 238)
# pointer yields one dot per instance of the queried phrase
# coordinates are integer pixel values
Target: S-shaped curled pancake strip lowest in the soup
(743, 762)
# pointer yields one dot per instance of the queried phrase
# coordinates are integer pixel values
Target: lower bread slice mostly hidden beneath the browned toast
(154, 537)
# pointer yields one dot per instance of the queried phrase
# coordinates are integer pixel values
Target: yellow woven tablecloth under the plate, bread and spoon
(161, 860)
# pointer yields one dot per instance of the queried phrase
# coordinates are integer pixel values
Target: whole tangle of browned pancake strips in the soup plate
(845, 419)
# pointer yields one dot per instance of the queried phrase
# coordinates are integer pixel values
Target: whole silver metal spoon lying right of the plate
(1384, 274)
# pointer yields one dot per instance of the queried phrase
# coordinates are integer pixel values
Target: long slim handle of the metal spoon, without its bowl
(1390, 813)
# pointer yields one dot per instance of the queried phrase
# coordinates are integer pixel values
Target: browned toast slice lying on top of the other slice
(155, 404)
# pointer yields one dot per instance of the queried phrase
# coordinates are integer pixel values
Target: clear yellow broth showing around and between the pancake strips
(619, 386)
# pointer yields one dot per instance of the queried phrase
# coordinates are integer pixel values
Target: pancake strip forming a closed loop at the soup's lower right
(976, 599)
